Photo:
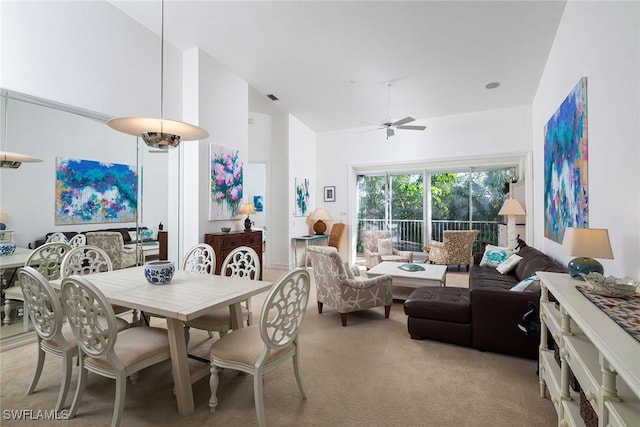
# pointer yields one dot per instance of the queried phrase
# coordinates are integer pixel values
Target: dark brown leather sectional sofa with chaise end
(486, 315)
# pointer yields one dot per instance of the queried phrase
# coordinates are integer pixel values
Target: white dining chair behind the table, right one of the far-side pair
(243, 263)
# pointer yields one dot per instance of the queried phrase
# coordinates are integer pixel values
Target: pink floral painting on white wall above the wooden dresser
(226, 182)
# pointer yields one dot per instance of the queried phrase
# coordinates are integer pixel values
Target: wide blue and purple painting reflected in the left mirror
(90, 192)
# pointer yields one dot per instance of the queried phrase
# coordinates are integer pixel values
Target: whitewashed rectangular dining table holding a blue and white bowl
(187, 296)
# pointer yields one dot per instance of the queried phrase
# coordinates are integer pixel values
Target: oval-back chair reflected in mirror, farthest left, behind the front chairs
(47, 260)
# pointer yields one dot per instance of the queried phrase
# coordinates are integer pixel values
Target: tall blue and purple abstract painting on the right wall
(566, 192)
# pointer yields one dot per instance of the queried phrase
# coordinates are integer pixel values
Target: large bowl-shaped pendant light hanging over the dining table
(159, 133)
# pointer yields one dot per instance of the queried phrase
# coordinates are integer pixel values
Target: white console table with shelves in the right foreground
(604, 358)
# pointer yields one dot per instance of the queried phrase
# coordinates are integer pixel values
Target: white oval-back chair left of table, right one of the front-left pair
(104, 350)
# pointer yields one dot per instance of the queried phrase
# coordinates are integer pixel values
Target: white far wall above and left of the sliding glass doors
(464, 136)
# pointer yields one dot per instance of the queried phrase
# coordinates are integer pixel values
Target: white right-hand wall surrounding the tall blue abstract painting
(599, 40)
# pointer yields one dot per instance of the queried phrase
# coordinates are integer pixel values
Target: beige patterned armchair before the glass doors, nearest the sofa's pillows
(455, 248)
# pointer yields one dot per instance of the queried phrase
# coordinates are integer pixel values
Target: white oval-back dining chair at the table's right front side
(258, 349)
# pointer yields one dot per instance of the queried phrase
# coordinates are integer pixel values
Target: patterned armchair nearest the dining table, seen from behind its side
(341, 287)
